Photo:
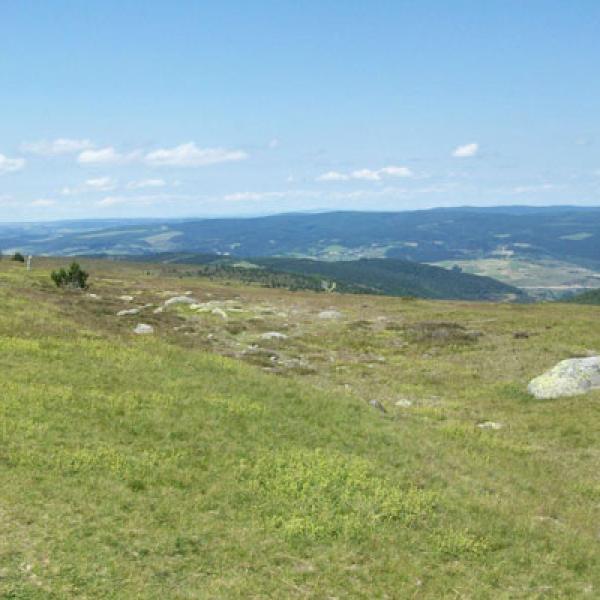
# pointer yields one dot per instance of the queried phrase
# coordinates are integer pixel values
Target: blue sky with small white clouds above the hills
(189, 108)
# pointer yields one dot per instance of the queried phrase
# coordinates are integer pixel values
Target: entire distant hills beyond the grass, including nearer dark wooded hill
(550, 252)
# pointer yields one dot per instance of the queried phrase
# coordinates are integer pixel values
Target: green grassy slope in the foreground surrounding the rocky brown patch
(146, 468)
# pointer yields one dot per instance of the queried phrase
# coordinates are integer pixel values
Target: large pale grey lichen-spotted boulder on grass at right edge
(568, 378)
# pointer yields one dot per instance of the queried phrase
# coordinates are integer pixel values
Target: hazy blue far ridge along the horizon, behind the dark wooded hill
(562, 233)
